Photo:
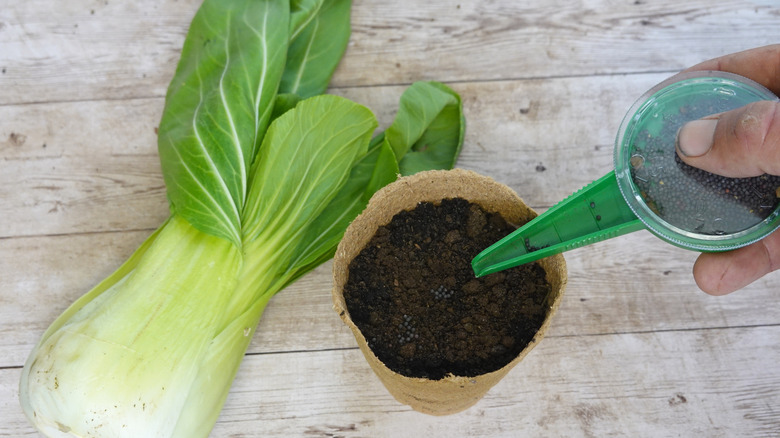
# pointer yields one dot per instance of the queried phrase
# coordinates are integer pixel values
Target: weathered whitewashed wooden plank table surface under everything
(636, 350)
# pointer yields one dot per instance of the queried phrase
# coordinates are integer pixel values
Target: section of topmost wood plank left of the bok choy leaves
(86, 50)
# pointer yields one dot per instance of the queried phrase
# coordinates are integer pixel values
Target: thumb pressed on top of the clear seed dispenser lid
(740, 143)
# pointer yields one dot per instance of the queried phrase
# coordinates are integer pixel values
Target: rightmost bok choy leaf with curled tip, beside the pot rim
(379, 167)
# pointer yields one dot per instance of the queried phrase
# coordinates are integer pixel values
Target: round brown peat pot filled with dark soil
(430, 377)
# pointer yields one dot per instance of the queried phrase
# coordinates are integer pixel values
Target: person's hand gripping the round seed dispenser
(743, 142)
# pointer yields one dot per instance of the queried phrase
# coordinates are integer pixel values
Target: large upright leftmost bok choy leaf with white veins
(217, 108)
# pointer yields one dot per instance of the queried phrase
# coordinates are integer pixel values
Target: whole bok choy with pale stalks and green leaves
(263, 173)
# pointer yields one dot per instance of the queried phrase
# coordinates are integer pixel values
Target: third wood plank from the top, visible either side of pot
(613, 288)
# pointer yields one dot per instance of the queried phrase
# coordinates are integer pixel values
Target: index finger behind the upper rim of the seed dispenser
(761, 64)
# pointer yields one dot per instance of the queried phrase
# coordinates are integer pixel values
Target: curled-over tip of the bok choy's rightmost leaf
(427, 132)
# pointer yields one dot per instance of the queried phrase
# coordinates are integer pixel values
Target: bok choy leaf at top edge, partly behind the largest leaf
(316, 49)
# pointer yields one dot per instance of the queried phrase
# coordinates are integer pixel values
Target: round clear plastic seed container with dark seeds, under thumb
(682, 204)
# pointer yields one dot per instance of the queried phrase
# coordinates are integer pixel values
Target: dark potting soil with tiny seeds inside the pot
(413, 294)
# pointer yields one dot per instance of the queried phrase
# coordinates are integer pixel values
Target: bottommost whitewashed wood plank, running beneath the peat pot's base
(714, 383)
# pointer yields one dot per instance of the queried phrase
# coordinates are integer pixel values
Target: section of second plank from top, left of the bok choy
(76, 167)
